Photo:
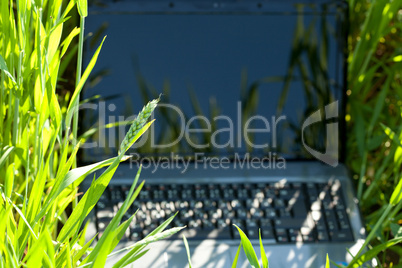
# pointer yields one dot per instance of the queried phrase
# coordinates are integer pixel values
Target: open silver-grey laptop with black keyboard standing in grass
(249, 129)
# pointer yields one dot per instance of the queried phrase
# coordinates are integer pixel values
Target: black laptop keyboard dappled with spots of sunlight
(285, 212)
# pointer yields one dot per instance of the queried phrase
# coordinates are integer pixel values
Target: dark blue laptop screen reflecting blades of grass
(234, 79)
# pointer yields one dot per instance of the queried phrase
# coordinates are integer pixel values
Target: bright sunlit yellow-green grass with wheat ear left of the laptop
(39, 143)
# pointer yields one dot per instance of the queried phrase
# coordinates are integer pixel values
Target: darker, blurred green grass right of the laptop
(374, 118)
